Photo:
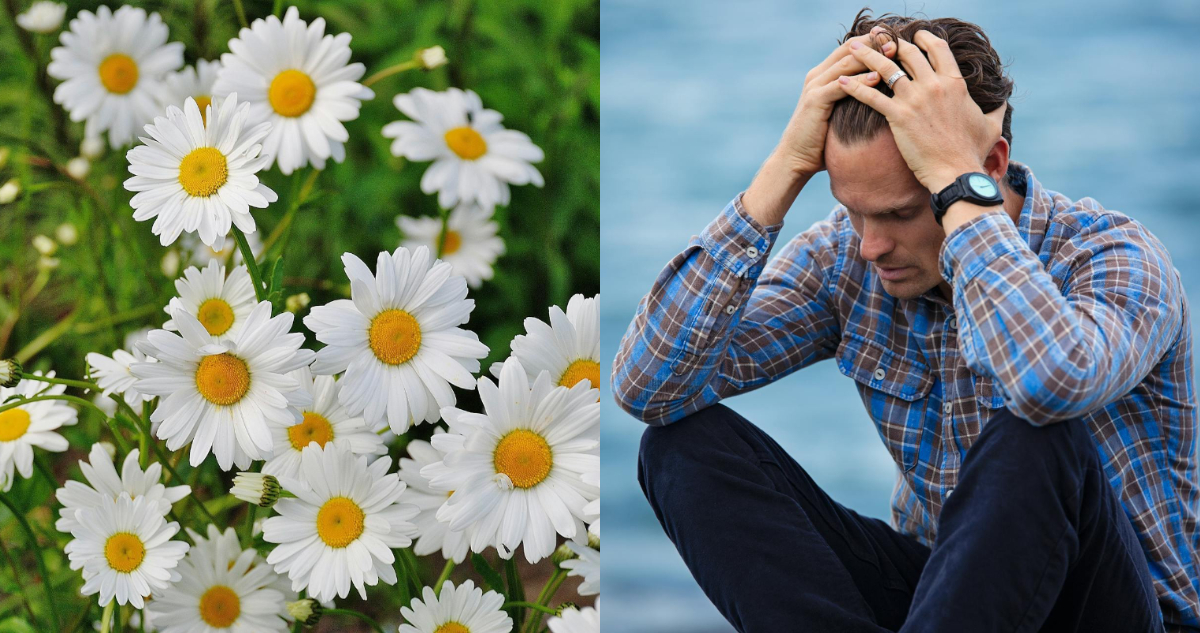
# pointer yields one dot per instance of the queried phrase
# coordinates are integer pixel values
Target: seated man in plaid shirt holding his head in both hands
(1028, 353)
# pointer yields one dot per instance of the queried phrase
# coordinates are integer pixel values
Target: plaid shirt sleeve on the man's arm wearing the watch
(1071, 335)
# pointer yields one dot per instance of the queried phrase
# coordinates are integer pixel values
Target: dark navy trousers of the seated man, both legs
(1033, 540)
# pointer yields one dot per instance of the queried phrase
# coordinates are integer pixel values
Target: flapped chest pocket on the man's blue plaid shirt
(895, 388)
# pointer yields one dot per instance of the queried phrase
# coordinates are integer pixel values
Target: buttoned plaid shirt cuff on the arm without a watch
(737, 242)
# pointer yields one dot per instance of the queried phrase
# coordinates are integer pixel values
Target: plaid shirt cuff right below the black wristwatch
(977, 243)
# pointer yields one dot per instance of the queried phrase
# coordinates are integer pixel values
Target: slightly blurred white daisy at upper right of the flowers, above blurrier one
(475, 156)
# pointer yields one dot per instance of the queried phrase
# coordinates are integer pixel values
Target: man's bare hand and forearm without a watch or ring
(801, 152)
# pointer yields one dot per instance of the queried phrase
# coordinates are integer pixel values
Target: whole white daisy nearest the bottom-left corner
(125, 550)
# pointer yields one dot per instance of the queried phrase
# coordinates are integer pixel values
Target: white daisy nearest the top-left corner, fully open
(112, 68)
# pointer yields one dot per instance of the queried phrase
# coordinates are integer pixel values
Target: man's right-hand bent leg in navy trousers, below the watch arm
(1034, 539)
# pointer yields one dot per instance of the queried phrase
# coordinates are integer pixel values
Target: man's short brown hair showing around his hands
(855, 122)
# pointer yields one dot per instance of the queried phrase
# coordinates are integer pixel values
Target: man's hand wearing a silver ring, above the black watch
(940, 131)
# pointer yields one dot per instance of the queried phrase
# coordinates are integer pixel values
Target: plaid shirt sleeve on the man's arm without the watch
(719, 322)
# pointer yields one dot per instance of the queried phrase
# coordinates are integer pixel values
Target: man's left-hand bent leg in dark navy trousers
(770, 548)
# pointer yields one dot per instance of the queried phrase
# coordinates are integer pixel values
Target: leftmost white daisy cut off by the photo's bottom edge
(224, 589)
